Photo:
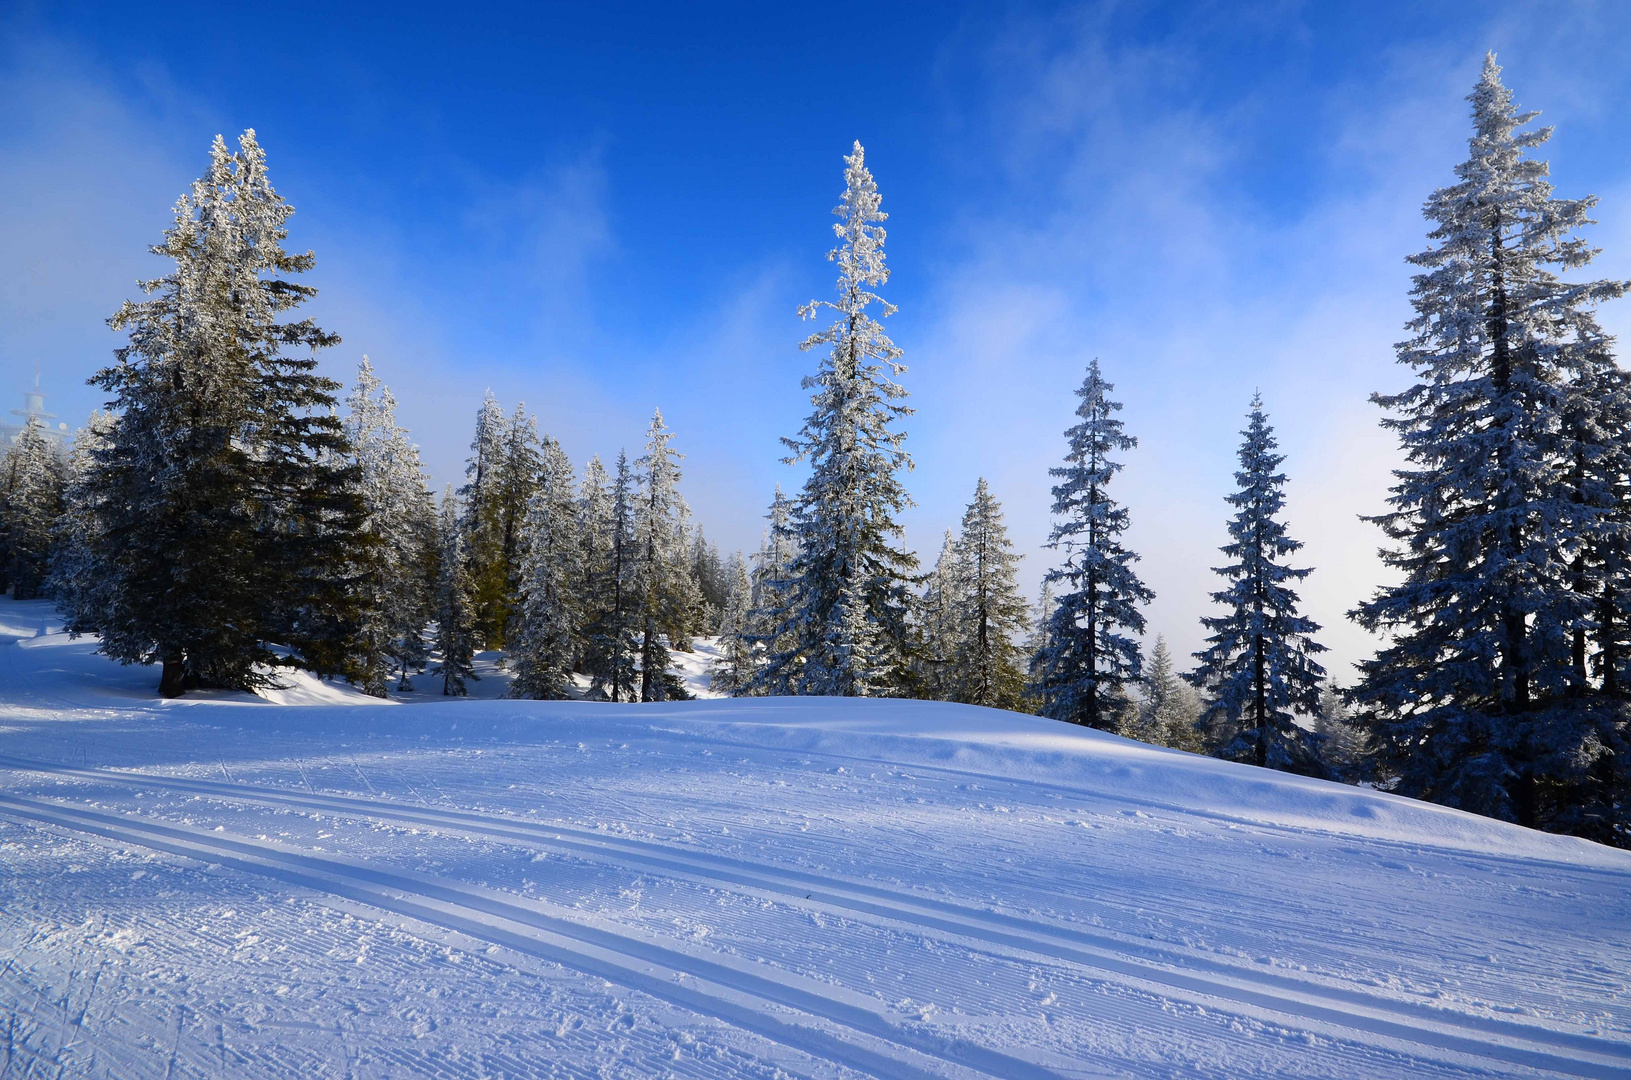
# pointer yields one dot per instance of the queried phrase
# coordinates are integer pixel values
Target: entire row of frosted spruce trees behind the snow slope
(223, 520)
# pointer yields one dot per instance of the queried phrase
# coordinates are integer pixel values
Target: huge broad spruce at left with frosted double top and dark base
(228, 508)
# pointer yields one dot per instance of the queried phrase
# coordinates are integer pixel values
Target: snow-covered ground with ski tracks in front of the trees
(782, 888)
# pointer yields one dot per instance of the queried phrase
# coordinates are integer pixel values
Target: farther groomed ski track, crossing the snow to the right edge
(1213, 981)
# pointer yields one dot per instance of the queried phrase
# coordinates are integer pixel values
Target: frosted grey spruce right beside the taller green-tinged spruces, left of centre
(544, 632)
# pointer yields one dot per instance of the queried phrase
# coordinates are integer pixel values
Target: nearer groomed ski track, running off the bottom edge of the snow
(790, 1012)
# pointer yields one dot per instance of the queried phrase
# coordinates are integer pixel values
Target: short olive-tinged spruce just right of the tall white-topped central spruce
(991, 611)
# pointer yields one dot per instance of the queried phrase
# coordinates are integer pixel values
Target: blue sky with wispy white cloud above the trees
(603, 210)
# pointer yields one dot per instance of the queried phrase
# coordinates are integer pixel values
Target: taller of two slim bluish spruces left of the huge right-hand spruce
(1089, 660)
